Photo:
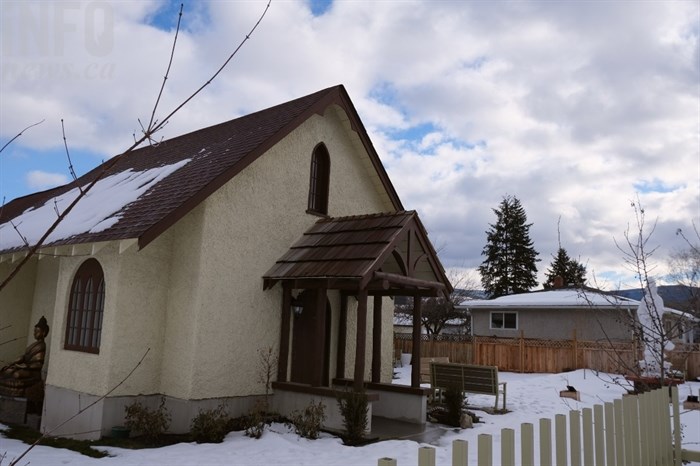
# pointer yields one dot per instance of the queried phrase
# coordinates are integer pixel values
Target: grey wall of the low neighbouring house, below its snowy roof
(557, 324)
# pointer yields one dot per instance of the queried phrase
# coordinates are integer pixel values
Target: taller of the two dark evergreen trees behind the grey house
(509, 266)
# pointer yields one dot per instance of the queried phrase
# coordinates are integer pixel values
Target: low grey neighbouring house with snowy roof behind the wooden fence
(564, 313)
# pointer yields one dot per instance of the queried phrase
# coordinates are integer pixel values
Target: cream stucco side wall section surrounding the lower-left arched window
(136, 291)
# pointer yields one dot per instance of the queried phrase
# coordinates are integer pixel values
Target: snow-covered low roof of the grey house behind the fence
(566, 298)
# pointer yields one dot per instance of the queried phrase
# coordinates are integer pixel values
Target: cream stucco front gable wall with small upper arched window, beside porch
(264, 209)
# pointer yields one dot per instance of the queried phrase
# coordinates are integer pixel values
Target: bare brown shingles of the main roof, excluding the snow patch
(217, 154)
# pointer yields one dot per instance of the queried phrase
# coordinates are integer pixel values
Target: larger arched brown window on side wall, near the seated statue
(85, 308)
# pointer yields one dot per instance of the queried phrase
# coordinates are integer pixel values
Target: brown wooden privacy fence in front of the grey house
(548, 356)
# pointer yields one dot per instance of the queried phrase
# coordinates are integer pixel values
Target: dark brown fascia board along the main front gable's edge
(335, 95)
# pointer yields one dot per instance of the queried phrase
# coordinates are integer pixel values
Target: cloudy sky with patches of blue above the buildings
(576, 108)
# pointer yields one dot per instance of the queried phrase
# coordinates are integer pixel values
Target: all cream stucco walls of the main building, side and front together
(193, 298)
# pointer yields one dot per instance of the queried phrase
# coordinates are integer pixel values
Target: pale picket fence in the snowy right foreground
(633, 431)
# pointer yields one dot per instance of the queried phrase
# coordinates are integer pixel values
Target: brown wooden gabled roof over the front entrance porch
(386, 253)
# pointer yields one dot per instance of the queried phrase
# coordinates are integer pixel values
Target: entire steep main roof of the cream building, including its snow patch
(149, 189)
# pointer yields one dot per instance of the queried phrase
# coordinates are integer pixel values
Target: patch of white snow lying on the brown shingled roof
(100, 208)
